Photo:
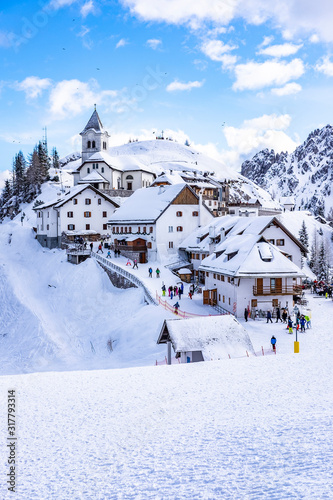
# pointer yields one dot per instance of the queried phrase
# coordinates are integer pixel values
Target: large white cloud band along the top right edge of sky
(296, 17)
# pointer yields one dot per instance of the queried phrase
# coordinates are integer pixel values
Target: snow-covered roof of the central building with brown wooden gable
(147, 204)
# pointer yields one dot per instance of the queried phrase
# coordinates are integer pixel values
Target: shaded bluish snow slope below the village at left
(55, 315)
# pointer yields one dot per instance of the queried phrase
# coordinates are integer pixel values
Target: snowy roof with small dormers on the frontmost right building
(249, 256)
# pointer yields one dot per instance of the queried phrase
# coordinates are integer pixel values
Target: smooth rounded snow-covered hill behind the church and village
(163, 155)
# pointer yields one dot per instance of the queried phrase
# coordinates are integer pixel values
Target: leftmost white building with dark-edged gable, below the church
(82, 211)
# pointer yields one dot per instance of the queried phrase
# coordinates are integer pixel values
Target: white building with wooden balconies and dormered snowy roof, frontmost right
(246, 271)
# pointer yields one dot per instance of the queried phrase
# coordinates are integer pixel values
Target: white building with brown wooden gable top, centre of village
(155, 221)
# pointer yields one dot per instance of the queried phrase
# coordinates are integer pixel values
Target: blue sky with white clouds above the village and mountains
(231, 76)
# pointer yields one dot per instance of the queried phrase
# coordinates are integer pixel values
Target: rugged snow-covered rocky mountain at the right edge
(306, 174)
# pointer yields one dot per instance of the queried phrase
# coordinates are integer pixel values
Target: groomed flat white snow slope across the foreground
(252, 428)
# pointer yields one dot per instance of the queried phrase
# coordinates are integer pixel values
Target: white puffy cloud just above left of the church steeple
(71, 97)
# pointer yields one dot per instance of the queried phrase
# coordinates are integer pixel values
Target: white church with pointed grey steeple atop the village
(104, 171)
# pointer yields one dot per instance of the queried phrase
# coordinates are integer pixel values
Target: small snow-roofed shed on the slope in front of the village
(206, 338)
